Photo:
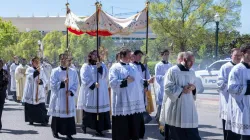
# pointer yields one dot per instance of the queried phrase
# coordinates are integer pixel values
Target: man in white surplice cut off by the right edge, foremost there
(239, 89)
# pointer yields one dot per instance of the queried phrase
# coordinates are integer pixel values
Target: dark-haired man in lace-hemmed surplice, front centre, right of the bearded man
(128, 105)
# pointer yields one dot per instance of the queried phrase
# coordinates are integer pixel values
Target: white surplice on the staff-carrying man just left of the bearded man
(57, 106)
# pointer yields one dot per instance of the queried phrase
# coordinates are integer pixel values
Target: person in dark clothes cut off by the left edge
(3, 86)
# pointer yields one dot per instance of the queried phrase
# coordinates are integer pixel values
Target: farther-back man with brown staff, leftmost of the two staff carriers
(34, 94)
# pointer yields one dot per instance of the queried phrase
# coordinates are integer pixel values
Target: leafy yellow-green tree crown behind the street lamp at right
(186, 23)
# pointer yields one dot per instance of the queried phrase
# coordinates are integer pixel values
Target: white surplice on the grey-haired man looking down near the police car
(180, 109)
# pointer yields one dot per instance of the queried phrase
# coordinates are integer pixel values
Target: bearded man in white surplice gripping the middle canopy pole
(88, 97)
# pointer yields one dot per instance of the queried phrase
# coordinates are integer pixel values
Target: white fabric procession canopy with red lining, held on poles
(108, 25)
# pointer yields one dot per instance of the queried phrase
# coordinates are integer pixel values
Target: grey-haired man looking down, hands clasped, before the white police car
(181, 89)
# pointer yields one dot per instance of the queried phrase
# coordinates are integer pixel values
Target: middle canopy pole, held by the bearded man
(98, 59)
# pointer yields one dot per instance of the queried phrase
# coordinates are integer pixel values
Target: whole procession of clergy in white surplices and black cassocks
(97, 95)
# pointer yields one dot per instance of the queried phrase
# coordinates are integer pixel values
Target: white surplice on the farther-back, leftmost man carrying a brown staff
(30, 89)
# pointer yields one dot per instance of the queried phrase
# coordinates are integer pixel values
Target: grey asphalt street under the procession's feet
(14, 127)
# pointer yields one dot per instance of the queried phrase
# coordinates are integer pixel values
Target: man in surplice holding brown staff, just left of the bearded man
(63, 116)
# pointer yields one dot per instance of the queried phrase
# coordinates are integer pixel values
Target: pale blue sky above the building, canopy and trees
(12, 8)
